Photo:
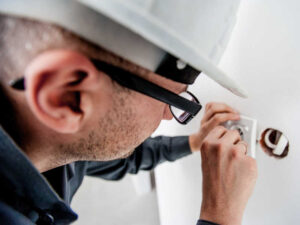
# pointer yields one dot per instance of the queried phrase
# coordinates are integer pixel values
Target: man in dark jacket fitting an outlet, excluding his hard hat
(73, 119)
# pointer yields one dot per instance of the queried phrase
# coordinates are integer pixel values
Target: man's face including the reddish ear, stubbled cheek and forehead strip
(93, 117)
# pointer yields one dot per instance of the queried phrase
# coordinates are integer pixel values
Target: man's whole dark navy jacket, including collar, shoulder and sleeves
(28, 197)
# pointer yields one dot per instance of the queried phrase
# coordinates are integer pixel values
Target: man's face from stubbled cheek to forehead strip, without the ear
(130, 118)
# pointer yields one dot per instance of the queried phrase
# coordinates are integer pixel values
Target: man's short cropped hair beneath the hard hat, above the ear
(21, 39)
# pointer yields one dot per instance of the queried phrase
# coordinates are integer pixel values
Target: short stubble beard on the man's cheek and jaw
(119, 132)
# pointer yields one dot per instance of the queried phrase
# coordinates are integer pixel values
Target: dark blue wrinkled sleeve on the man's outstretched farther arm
(147, 156)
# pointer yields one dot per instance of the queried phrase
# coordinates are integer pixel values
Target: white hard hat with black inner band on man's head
(193, 34)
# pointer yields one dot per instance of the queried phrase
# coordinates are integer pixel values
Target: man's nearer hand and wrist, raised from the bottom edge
(229, 176)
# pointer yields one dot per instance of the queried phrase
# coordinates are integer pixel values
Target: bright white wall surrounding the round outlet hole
(263, 55)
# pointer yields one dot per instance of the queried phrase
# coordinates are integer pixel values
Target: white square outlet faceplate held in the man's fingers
(247, 128)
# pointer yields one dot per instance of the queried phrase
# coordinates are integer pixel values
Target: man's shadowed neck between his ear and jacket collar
(41, 147)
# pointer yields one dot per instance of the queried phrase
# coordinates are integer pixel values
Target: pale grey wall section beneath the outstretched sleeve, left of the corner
(114, 202)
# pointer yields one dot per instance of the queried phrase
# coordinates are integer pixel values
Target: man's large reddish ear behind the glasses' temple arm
(59, 89)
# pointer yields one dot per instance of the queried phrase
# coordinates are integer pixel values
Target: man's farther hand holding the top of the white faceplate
(214, 115)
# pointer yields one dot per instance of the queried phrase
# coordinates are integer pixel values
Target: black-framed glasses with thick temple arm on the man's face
(183, 106)
